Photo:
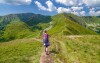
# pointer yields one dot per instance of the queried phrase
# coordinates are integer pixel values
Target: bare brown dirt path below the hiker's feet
(46, 58)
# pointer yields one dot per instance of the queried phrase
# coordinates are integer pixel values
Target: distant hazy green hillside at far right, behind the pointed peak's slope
(90, 22)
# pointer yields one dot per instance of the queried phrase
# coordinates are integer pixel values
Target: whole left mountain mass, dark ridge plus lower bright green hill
(12, 23)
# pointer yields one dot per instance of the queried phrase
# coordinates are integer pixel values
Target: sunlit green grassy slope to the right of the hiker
(76, 49)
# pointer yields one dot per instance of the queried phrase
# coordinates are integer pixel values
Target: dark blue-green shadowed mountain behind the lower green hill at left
(29, 18)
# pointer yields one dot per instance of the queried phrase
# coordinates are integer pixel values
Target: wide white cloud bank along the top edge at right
(95, 3)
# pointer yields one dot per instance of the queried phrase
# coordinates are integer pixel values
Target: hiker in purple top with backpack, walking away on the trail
(46, 41)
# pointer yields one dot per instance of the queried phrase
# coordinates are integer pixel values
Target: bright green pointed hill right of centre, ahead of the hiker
(65, 26)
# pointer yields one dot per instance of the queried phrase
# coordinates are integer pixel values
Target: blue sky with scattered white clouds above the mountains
(50, 7)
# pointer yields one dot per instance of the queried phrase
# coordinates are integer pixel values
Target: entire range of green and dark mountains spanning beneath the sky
(14, 25)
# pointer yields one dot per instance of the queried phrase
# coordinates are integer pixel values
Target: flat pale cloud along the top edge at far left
(16, 2)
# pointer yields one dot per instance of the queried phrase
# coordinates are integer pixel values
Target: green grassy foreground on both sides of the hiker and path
(64, 49)
